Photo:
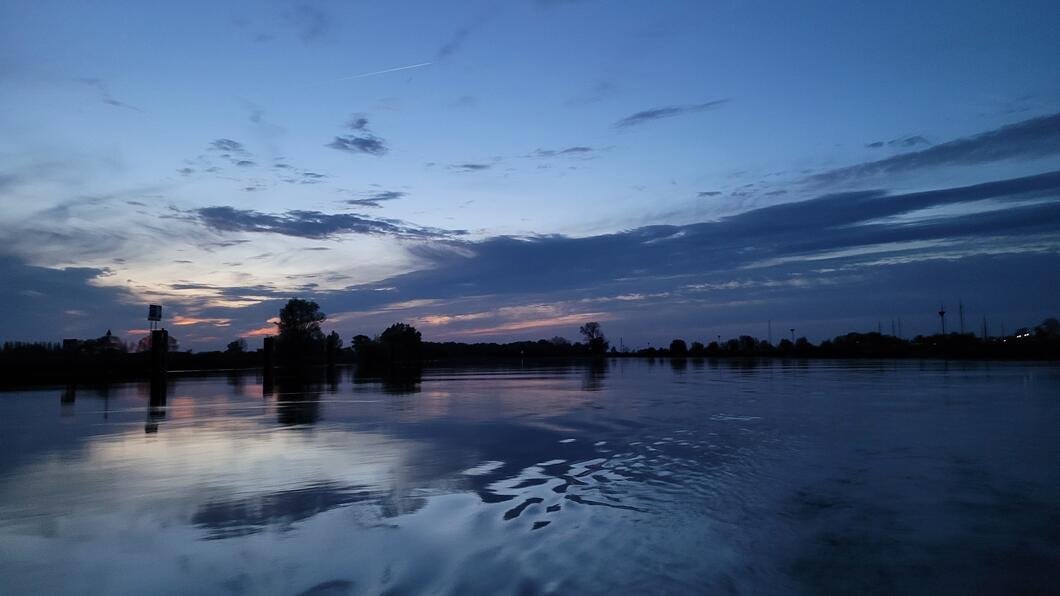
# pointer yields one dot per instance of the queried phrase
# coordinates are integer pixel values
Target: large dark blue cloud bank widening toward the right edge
(842, 248)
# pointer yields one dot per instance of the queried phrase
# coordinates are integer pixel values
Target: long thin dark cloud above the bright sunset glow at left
(310, 224)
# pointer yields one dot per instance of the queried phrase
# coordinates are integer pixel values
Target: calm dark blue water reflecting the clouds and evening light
(623, 478)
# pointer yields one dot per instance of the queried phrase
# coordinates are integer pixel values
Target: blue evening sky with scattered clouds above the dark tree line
(502, 171)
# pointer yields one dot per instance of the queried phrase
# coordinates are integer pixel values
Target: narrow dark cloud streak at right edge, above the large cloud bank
(1030, 139)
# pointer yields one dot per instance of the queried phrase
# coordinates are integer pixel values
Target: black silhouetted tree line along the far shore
(302, 342)
